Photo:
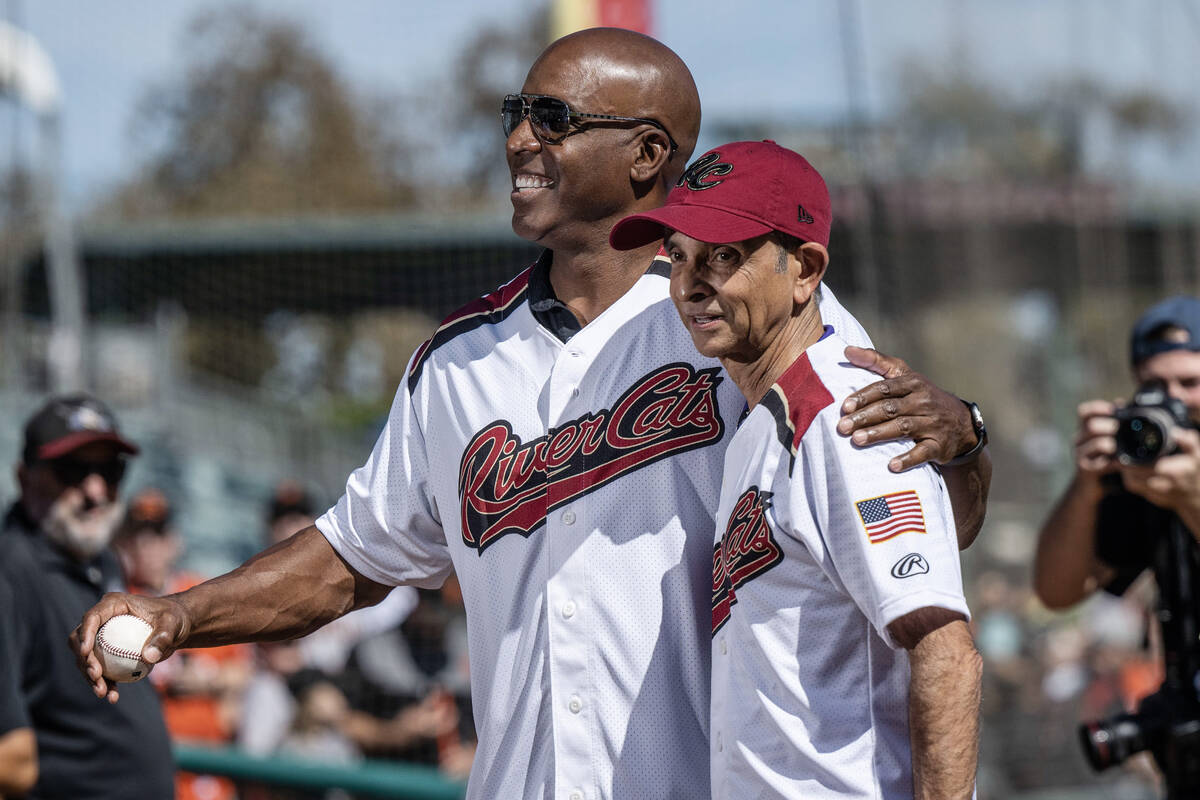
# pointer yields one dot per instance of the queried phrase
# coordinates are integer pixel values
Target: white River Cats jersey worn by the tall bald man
(572, 485)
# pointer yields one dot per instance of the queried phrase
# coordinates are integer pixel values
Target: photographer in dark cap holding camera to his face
(1135, 504)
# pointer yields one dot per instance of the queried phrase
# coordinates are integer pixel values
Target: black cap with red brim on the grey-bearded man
(68, 423)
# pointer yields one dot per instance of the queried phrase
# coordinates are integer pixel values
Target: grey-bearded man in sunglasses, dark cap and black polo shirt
(56, 566)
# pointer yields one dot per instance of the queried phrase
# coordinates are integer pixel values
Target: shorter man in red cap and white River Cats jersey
(843, 666)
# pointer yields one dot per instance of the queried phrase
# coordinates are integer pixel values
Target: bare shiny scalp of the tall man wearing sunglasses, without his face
(633, 76)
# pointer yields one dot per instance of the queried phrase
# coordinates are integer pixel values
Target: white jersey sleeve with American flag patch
(887, 539)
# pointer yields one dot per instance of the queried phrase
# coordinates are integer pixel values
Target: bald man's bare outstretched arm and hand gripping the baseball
(285, 592)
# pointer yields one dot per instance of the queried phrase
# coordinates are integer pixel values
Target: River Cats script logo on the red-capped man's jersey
(747, 550)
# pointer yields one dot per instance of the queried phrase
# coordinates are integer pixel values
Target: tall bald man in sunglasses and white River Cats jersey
(559, 446)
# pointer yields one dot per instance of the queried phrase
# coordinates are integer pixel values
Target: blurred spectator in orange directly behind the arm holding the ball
(202, 688)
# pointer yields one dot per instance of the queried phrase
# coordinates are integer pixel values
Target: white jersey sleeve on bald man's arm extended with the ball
(386, 524)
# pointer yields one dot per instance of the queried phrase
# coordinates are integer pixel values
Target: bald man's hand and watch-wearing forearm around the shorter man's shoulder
(908, 406)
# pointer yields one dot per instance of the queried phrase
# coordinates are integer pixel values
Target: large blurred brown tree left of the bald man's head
(260, 124)
